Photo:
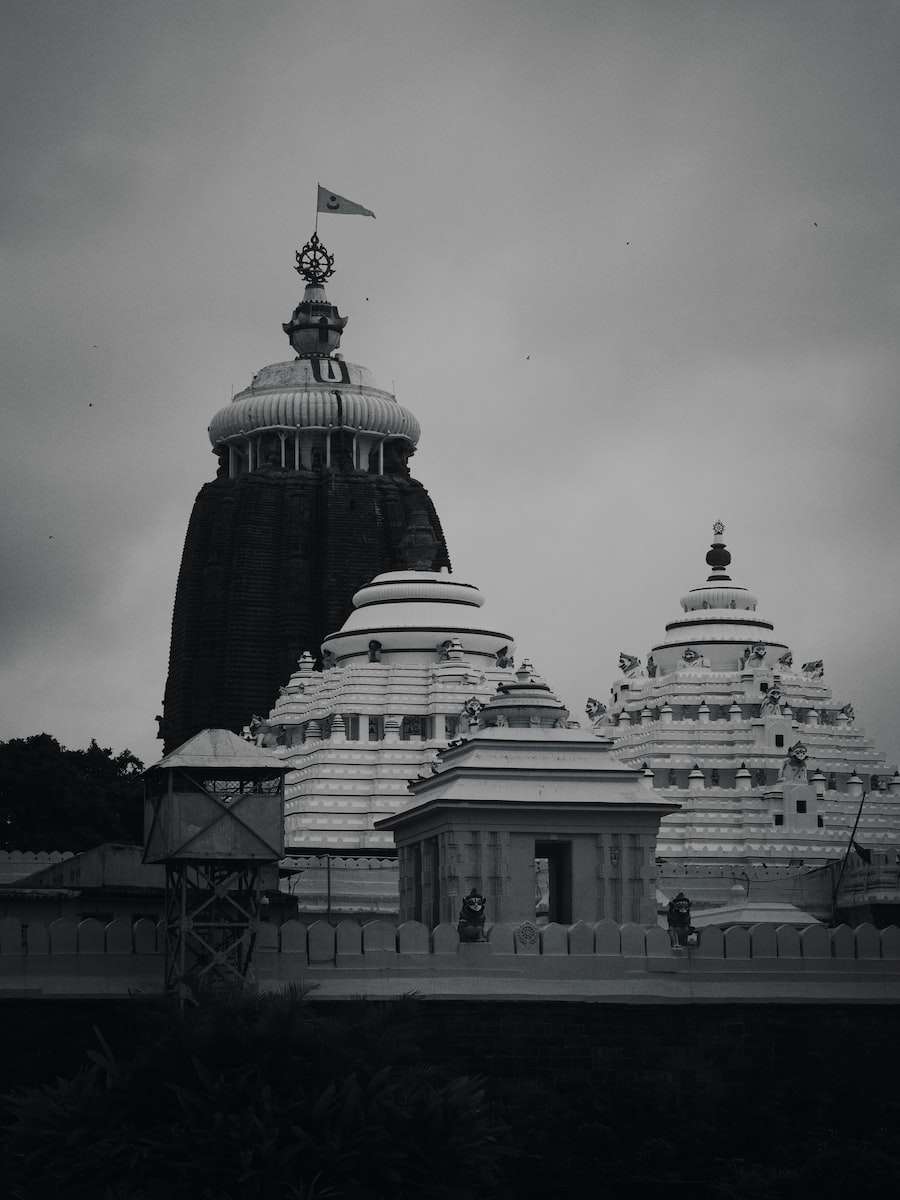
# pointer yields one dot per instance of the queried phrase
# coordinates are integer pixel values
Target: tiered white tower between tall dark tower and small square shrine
(411, 667)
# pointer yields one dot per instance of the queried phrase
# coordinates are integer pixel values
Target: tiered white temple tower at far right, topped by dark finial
(721, 717)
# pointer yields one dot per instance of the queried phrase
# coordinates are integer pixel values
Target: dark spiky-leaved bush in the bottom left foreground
(261, 1099)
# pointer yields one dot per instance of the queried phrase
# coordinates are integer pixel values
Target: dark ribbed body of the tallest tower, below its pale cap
(271, 565)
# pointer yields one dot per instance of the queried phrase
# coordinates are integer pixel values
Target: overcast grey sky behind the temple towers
(635, 267)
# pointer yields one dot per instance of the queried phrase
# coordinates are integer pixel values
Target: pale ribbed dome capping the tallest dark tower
(289, 395)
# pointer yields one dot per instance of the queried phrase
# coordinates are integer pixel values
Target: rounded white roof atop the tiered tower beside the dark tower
(415, 611)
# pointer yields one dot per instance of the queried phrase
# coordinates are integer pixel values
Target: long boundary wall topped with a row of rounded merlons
(383, 959)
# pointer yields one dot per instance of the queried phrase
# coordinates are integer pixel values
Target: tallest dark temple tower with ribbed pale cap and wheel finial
(313, 499)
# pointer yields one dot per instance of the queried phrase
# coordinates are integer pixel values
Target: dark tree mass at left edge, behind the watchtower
(53, 799)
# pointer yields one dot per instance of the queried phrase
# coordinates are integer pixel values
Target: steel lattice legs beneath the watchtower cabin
(213, 914)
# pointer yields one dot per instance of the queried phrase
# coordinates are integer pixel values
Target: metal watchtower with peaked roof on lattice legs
(214, 815)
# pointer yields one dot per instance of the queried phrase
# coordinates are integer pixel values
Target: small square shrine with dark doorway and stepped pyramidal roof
(525, 796)
